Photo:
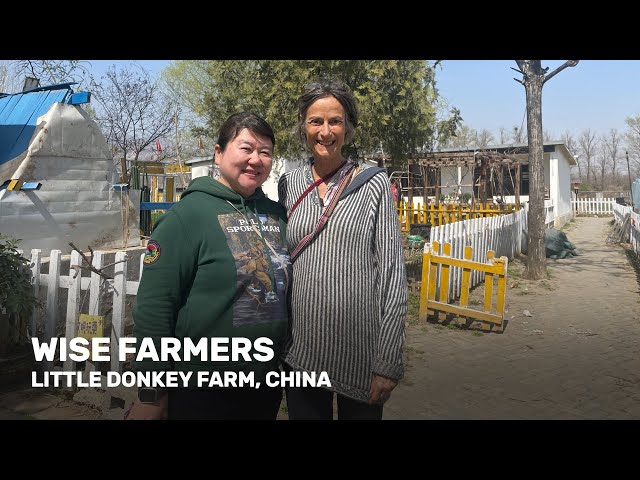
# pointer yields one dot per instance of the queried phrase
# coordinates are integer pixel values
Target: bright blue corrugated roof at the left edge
(18, 115)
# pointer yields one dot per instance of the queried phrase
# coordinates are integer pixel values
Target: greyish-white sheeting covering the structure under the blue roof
(68, 154)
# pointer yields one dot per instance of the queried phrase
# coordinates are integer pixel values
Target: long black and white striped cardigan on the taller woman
(349, 288)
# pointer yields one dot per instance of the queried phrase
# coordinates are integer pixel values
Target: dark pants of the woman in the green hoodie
(225, 403)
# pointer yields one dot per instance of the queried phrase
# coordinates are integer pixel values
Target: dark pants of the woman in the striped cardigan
(313, 403)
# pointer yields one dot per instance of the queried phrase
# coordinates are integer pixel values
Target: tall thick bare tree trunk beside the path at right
(533, 79)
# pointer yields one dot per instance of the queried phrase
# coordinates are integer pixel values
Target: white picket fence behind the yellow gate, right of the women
(503, 234)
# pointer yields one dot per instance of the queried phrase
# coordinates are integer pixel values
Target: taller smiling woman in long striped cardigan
(349, 289)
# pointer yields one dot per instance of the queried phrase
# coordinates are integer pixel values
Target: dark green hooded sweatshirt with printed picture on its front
(208, 273)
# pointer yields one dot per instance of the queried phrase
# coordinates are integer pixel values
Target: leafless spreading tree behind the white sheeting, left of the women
(133, 113)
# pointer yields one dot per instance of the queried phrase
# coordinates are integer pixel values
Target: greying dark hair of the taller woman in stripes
(328, 88)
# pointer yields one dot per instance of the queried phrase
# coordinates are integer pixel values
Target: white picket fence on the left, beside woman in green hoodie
(95, 286)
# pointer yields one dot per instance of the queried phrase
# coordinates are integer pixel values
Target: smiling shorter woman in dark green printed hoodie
(217, 266)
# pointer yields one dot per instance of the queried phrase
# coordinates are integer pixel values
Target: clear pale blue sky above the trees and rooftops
(596, 94)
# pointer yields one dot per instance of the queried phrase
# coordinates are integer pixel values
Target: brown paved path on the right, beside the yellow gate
(576, 357)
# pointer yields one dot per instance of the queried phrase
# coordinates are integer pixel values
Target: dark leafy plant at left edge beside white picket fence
(17, 302)
